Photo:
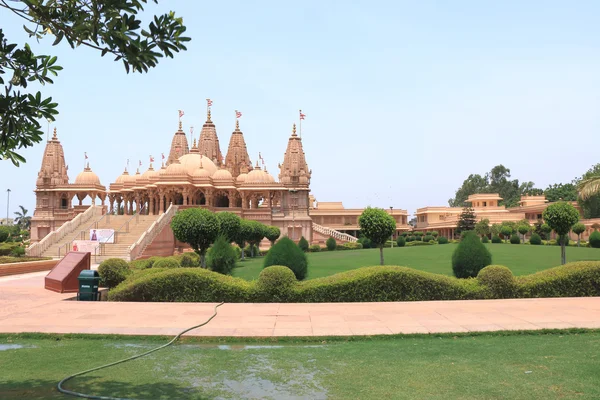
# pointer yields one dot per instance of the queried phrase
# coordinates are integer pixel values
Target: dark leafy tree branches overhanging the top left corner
(111, 27)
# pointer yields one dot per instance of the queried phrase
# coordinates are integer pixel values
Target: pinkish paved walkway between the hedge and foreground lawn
(26, 307)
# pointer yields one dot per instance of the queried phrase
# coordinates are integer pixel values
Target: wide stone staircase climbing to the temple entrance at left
(128, 230)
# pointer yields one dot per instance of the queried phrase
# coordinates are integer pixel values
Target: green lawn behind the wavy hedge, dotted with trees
(521, 259)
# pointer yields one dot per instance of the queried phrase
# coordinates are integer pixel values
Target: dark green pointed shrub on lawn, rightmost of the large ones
(470, 257)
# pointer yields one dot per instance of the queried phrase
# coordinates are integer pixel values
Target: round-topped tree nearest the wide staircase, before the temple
(198, 227)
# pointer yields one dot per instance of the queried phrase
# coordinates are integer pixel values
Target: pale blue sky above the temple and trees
(403, 100)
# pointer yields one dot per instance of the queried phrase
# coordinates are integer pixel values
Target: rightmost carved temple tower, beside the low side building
(295, 176)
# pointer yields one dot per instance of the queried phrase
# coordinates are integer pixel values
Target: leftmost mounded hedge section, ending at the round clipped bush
(184, 285)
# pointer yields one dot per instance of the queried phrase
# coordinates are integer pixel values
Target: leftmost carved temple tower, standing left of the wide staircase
(53, 199)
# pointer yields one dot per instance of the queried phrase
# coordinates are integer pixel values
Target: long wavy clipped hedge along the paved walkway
(387, 283)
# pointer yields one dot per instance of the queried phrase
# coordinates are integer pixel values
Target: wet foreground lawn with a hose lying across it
(492, 366)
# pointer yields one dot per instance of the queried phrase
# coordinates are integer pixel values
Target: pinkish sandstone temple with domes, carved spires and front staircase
(193, 174)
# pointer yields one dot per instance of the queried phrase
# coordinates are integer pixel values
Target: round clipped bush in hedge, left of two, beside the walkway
(275, 284)
